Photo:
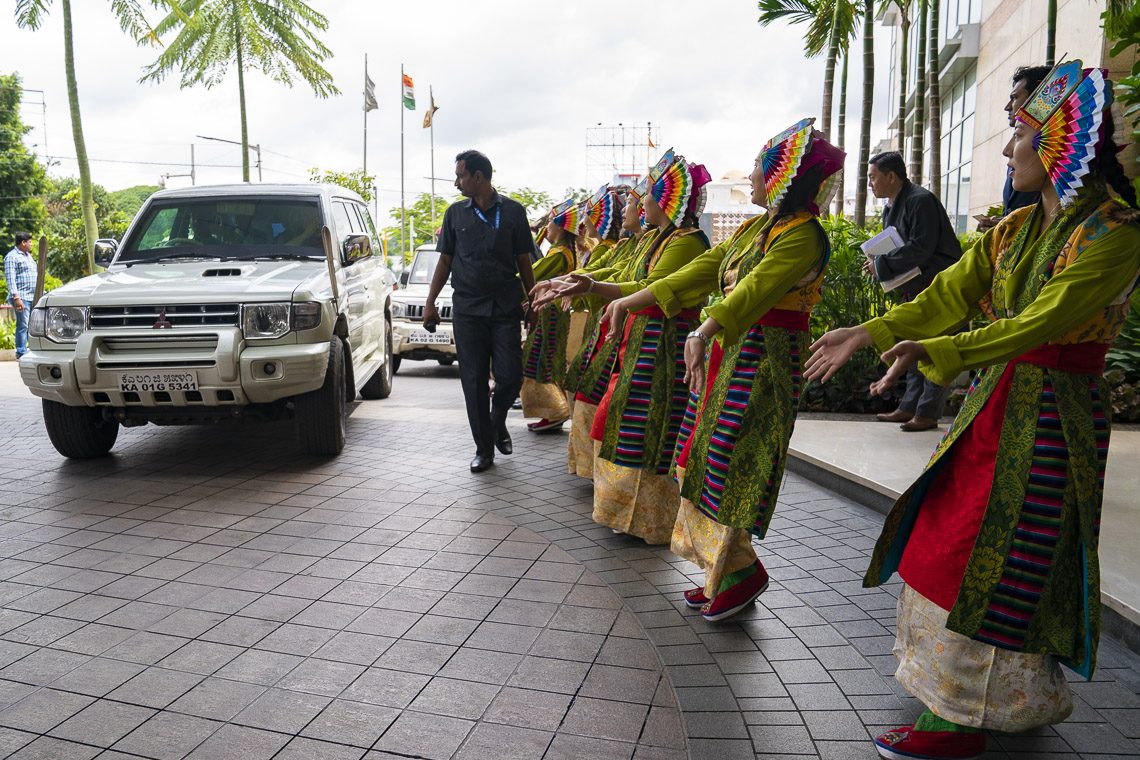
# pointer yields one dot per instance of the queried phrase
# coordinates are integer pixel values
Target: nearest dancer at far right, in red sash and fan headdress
(997, 541)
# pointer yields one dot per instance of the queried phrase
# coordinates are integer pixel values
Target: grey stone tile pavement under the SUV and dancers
(211, 593)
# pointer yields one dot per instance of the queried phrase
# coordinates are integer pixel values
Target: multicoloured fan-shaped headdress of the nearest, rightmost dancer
(1068, 111)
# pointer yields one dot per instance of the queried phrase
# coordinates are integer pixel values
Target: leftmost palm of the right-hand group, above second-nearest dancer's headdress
(832, 27)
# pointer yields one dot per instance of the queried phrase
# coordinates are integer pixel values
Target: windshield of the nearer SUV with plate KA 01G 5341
(227, 228)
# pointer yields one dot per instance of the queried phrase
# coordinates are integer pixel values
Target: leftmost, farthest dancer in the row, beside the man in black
(544, 355)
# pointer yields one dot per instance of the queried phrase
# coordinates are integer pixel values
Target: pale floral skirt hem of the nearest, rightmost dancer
(971, 683)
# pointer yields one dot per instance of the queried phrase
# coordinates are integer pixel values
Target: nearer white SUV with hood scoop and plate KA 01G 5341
(230, 303)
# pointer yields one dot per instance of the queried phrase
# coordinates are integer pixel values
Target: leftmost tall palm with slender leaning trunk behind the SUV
(30, 14)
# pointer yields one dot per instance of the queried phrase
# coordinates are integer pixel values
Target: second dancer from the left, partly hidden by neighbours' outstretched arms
(590, 371)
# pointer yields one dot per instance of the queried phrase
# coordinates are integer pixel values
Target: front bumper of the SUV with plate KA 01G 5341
(230, 372)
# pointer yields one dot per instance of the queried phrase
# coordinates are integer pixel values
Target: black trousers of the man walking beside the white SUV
(487, 345)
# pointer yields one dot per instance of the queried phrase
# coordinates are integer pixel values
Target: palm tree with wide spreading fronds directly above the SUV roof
(275, 37)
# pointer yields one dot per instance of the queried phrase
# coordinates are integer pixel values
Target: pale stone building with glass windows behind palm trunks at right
(981, 45)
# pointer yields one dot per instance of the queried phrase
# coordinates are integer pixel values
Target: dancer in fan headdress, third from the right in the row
(638, 420)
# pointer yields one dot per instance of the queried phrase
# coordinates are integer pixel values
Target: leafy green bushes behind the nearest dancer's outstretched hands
(851, 297)
